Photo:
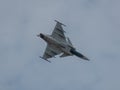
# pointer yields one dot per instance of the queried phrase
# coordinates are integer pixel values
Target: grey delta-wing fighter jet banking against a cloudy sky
(57, 43)
